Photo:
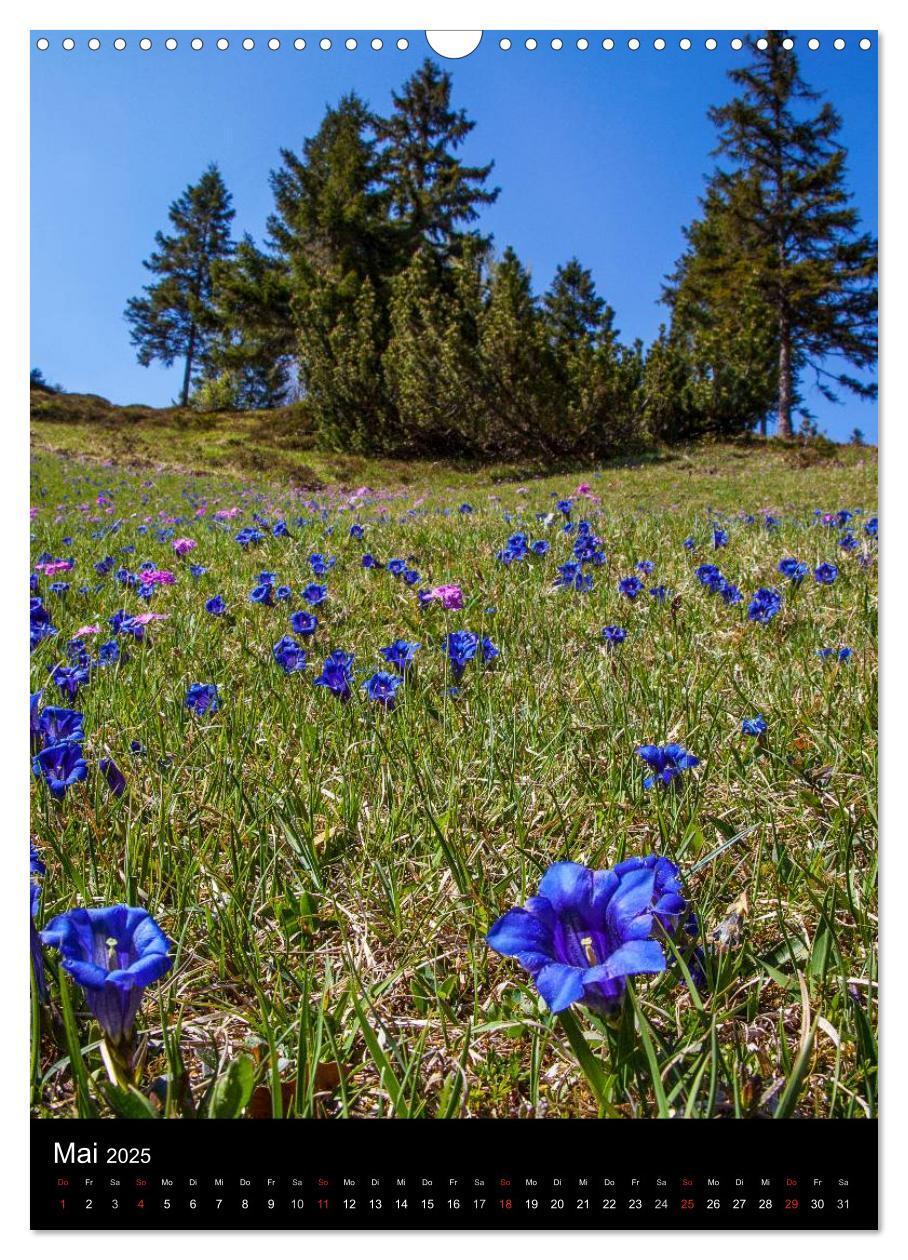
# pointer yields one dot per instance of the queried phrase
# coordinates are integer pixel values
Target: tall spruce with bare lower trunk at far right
(792, 225)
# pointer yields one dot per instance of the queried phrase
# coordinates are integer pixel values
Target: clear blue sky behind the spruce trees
(601, 154)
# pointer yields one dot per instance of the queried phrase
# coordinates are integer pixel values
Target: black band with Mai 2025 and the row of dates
(485, 1175)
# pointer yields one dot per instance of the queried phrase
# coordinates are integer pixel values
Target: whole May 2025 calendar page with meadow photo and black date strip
(454, 629)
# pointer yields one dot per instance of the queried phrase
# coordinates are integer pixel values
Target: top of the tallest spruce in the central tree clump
(434, 195)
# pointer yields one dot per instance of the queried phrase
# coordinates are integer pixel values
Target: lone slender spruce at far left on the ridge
(174, 318)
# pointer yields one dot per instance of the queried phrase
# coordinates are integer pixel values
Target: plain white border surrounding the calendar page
(648, 18)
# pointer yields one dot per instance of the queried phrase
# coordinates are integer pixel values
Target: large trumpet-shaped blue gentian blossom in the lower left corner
(114, 953)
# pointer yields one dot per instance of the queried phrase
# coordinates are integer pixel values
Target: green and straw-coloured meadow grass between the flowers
(328, 873)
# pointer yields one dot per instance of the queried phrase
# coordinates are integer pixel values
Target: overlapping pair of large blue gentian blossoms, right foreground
(587, 932)
